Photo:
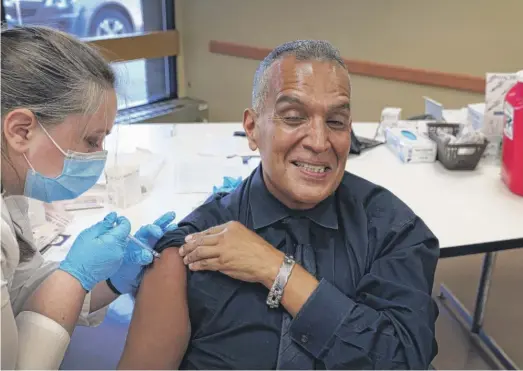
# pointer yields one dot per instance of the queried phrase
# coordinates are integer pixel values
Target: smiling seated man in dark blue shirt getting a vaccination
(304, 265)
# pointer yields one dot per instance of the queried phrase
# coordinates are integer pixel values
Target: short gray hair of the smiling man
(302, 50)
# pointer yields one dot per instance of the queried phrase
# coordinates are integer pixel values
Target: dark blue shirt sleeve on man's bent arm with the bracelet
(389, 323)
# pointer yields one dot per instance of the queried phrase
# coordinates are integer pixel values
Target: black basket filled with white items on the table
(458, 149)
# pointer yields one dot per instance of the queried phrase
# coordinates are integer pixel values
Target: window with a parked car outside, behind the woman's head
(137, 36)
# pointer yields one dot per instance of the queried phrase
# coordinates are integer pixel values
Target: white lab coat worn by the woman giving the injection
(29, 340)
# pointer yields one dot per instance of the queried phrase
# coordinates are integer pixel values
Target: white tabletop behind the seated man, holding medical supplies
(461, 208)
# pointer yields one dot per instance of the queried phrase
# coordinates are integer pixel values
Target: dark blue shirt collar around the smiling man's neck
(267, 210)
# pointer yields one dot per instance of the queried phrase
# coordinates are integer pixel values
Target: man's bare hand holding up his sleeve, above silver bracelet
(234, 250)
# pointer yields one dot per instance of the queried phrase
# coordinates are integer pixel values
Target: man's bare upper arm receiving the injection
(159, 330)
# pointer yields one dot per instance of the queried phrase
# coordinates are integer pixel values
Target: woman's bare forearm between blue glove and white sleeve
(60, 297)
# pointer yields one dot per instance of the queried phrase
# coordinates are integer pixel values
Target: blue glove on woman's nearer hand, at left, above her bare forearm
(98, 251)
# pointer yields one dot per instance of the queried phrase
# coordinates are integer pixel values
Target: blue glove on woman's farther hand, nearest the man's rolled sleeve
(128, 277)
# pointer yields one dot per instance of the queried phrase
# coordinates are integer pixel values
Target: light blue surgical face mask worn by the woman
(81, 171)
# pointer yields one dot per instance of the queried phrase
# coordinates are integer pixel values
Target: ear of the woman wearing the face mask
(19, 127)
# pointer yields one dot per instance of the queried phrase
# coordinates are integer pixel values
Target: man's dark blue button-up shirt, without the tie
(372, 309)
